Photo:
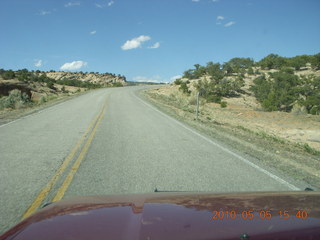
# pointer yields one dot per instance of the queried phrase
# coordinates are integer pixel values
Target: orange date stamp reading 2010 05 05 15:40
(262, 214)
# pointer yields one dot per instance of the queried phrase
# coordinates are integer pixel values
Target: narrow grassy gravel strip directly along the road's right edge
(274, 155)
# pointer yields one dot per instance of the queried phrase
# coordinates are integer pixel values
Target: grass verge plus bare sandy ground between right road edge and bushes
(255, 133)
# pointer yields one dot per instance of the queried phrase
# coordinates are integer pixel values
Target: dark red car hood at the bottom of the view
(176, 216)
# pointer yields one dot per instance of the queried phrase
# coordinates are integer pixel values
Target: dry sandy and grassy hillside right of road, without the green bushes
(288, 141)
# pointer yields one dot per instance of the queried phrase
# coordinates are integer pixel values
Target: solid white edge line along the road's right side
(226, 150)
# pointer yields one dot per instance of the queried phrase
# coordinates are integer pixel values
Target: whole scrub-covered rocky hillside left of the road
(32, 87)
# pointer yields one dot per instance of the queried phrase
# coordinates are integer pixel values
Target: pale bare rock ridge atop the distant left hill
(104, 79)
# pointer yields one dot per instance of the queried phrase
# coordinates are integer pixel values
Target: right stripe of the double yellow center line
(77, 163)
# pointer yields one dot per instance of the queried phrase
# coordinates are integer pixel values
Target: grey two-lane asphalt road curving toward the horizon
(116, 143)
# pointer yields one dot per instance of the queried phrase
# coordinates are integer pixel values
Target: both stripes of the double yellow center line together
(93, 126)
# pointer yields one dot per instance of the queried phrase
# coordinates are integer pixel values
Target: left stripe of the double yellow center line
(45, 191)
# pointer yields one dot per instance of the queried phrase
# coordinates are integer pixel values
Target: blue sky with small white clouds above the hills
(152, 40)
